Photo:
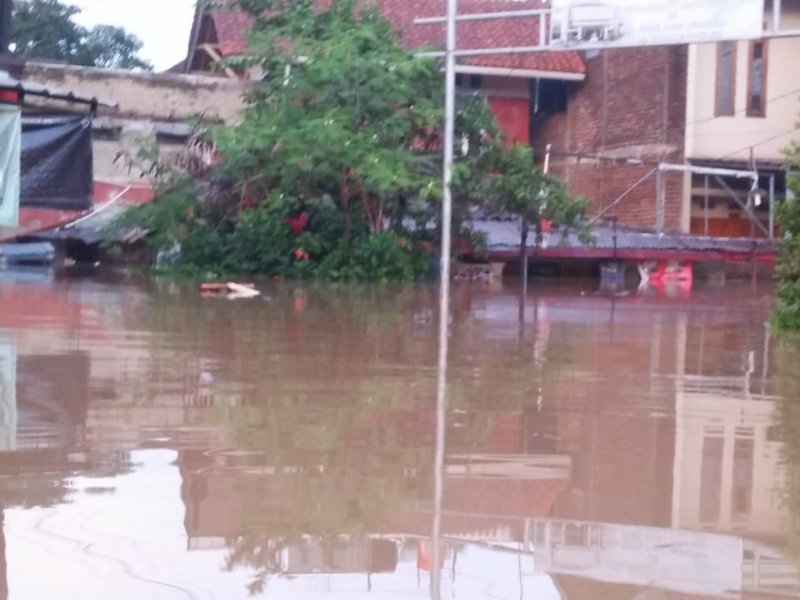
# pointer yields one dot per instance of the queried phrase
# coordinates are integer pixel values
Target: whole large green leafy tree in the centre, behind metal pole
(335, 169)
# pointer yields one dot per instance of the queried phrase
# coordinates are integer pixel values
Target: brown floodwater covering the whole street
(156, 444)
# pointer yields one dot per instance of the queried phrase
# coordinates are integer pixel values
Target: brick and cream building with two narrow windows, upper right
(727, 105)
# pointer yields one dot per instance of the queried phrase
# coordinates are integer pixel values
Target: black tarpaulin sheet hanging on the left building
(56, 162)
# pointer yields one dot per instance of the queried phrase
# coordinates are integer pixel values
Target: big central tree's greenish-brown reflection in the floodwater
(338, 423)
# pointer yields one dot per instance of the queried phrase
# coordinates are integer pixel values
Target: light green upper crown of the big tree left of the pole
(338, 113)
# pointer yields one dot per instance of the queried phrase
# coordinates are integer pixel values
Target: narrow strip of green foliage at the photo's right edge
(787, 314)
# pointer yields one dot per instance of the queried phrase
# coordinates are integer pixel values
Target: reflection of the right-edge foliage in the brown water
(785, 360)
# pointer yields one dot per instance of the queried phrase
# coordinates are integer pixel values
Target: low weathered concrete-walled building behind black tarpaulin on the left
(133, 114)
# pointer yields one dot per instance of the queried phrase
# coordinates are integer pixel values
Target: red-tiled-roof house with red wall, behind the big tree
(511, 83)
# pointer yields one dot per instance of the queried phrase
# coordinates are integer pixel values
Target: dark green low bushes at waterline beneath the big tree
(260, 241)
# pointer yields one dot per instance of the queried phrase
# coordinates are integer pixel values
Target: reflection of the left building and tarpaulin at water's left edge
(43, 407)
